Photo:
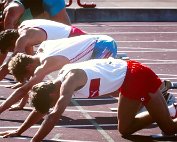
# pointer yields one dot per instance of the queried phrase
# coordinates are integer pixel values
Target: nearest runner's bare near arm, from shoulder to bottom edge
(69, 85)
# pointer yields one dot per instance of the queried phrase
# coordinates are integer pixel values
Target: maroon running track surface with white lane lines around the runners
(152, 43)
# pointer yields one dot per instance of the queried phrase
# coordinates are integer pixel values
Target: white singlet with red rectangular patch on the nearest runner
(104, 76)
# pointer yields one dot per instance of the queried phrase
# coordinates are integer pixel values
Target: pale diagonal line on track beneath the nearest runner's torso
(96, 125)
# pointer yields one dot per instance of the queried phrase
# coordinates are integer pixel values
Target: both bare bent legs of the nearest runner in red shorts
(129, 122)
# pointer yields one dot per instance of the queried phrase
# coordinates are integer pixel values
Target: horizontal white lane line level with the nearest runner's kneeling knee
(61, 126)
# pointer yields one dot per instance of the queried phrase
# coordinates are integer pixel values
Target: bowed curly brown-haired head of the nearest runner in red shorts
(40, 96)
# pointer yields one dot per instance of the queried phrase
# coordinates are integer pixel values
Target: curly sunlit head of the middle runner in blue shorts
(19, 66)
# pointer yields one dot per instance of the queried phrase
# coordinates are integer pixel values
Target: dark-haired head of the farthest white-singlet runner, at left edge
(7, 40)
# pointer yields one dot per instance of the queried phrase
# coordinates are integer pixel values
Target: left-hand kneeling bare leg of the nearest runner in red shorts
(128, 121)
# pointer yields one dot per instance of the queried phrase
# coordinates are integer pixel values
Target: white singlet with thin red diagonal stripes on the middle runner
(76, 49)
